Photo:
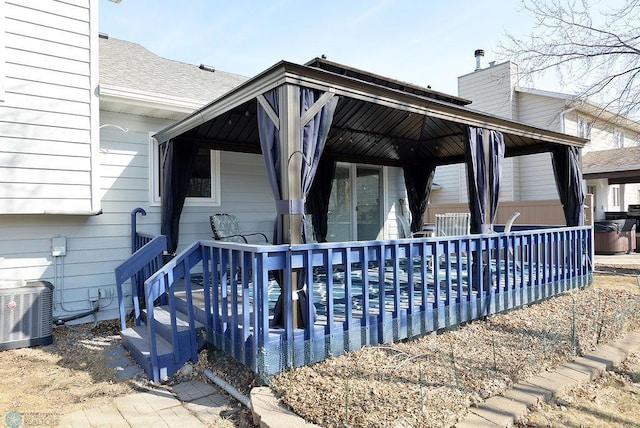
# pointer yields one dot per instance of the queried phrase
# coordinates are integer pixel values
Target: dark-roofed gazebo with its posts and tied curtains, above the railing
(323, 111)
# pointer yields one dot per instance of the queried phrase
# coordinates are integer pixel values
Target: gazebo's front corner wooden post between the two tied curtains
(290, 179)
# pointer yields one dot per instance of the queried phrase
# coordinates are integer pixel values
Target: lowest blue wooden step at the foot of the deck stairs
(135, 340)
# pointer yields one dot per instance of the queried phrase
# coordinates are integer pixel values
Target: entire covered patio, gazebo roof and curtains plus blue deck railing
(305, 118)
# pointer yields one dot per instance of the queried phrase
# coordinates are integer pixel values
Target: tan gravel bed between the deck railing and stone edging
(432, 381)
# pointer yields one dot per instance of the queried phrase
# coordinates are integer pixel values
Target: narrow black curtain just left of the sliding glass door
(318, 198)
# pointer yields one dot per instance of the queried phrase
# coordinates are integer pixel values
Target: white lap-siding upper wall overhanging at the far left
(48, 126)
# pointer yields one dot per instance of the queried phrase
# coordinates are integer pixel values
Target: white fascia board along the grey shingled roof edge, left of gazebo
(149, 99)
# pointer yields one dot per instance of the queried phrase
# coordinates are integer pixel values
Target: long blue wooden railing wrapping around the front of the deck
(363, 292)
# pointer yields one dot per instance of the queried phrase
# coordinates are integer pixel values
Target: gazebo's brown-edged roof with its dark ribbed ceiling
(377, 121)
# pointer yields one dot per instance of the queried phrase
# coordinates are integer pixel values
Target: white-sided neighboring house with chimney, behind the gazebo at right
(494, 90)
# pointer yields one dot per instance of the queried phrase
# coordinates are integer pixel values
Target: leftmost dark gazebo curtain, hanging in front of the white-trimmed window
(178, 167)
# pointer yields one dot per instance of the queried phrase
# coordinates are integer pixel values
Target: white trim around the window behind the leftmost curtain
(154, 179)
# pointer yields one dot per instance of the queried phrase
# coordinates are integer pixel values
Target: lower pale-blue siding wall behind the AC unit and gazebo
(96, 245)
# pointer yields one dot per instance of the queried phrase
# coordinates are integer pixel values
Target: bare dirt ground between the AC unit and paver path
(43, 383)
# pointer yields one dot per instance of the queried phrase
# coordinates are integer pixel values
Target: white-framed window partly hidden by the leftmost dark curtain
(204, 189)
